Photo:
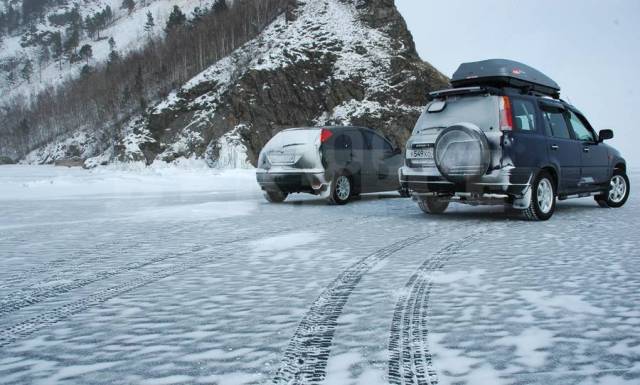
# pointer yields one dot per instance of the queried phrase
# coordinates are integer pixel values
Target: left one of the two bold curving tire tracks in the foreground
(306, 356)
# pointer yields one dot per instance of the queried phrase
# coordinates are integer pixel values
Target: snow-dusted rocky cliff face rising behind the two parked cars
(328, 62)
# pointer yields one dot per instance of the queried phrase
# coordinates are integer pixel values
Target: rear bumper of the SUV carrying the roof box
(513, 182)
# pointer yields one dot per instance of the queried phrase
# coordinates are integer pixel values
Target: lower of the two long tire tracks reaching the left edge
(29, 326)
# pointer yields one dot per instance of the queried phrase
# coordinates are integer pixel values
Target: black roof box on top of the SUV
(501, 73)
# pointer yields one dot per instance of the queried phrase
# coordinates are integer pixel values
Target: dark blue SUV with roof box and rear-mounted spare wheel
(502, 135)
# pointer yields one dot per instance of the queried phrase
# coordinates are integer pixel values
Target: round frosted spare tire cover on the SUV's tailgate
(462, 152)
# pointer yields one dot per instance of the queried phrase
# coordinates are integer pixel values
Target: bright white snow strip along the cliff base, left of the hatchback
(24, 182)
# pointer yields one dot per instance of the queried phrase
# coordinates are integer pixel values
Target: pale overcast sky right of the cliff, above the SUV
(591, 48)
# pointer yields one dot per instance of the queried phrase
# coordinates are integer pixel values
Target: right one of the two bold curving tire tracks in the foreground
(410, 360)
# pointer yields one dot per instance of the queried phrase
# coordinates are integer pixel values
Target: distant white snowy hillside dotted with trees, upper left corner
(126, 29)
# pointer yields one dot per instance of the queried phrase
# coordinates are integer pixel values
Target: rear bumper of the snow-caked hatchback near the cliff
(313, 182)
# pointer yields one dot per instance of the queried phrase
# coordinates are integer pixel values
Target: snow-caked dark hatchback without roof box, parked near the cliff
(337, 163)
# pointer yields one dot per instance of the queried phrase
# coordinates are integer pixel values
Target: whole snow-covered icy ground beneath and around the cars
(169, 276)
